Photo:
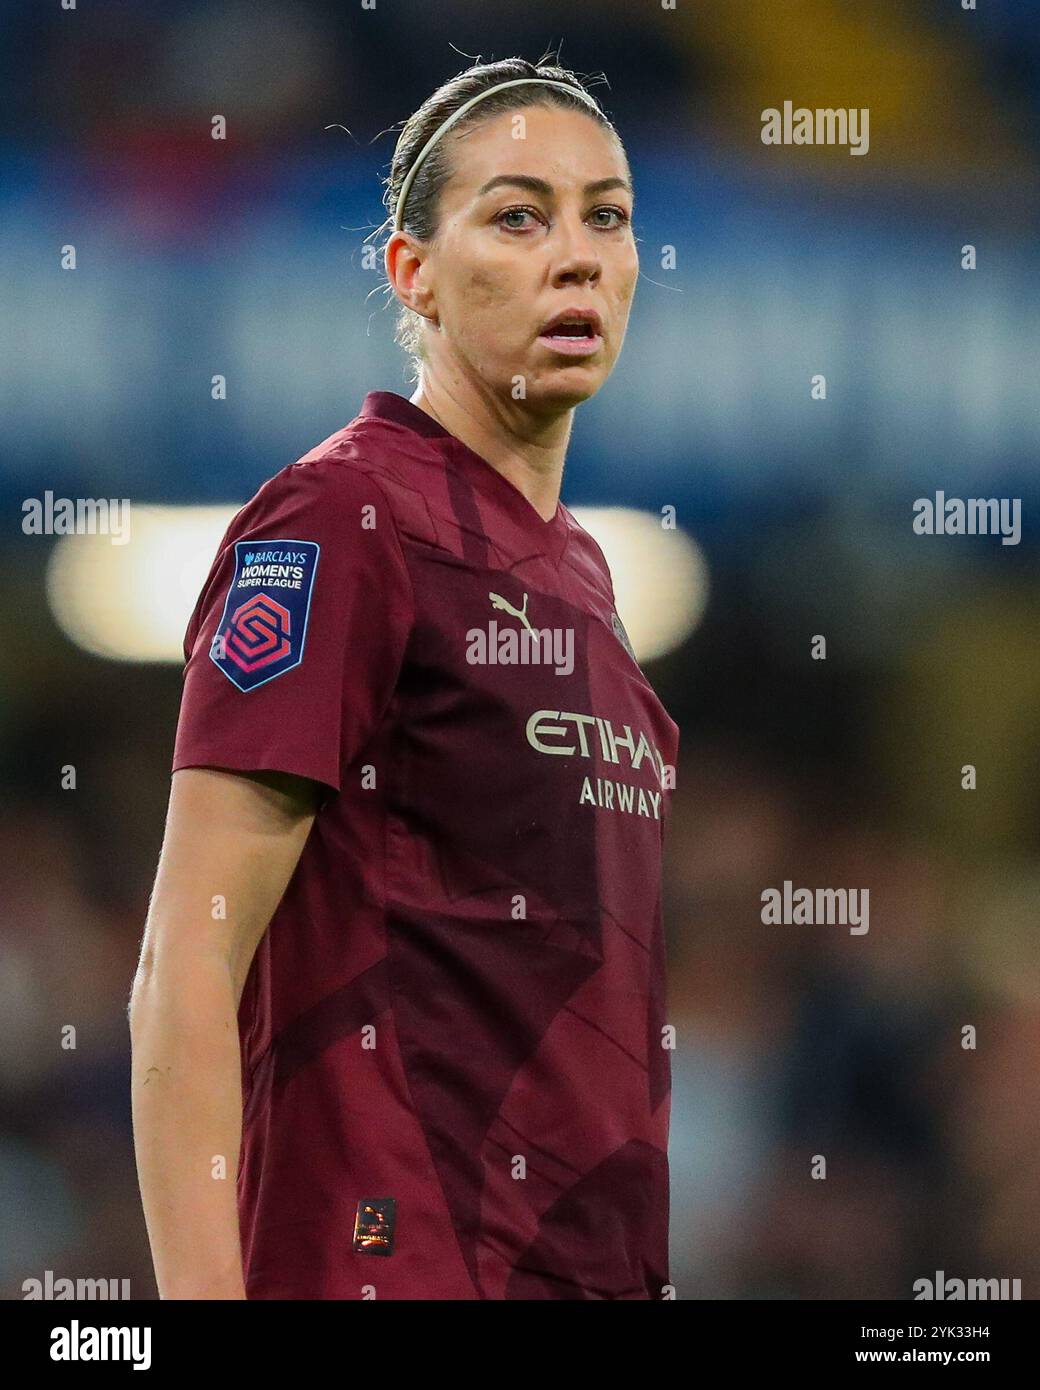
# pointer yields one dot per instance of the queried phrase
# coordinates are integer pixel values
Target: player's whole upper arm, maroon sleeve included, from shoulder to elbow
(294, 653)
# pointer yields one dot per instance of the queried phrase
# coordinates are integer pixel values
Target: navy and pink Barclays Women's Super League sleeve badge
(265, 621)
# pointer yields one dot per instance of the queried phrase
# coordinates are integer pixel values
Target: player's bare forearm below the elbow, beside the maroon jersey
(187, 1102)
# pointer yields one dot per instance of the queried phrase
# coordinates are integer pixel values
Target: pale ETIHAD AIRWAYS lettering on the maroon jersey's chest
(567, 736)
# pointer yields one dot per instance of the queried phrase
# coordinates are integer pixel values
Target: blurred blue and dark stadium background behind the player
(247, 258)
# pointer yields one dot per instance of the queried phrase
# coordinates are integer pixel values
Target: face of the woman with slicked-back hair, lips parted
(510, 258)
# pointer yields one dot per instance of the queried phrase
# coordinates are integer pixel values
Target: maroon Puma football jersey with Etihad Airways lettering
(455, 1058)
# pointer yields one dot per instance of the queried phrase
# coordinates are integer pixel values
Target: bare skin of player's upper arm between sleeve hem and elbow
(231, 846)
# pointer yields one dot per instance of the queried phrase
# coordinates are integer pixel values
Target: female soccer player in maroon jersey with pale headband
(403, 978)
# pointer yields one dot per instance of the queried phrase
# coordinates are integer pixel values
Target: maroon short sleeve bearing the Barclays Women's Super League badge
(298, 637)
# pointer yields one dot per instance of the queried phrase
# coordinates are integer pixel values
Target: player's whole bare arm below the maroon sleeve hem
(236, 839)
